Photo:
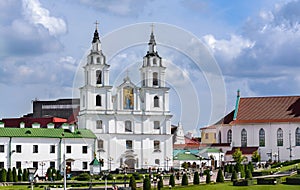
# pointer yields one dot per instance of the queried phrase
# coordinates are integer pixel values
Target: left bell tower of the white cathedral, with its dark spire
(95, 95)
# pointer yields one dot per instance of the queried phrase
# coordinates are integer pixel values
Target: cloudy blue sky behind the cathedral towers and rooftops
(255, 44)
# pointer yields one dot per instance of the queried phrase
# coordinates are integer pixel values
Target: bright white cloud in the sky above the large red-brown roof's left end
(228, 49)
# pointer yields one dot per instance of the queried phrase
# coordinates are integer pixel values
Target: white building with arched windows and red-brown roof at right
(269, 124)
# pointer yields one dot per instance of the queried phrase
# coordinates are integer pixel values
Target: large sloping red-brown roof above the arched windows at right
(268, 109)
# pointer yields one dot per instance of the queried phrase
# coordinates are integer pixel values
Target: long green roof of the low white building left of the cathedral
(45, 133)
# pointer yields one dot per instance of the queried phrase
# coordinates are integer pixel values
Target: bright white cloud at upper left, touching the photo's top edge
(36, 14)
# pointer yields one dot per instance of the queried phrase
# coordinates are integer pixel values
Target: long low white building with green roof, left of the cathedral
(44, 147)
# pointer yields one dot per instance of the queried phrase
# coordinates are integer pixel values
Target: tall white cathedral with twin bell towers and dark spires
(133, 126)
